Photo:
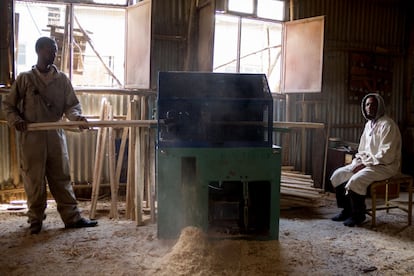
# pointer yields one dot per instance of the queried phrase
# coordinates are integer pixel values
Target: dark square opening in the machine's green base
(239, 208)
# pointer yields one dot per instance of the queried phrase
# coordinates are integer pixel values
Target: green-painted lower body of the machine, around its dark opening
(184, 176)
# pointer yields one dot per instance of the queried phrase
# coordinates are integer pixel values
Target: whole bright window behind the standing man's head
(95, 57)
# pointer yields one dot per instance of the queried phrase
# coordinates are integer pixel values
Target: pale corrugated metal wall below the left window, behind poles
(82, 145)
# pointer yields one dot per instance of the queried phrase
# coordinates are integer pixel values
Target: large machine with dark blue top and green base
(216, 166)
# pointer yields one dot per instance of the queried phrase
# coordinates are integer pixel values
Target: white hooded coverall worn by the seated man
(379, 150)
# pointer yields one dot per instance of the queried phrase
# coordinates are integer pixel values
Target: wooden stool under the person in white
(396, 180)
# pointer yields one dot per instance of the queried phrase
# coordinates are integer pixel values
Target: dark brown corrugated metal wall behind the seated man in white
(369, 26)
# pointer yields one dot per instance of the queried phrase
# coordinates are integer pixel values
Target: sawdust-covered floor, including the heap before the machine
(309, 244)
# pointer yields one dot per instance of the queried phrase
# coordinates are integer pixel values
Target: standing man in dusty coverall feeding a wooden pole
(44, 94)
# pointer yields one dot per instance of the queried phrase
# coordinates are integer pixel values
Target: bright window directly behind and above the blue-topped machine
(250, 45)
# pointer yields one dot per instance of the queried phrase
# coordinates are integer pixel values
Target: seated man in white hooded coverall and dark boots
(378, 158)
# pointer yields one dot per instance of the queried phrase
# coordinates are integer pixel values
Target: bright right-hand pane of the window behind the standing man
(98, 46)
